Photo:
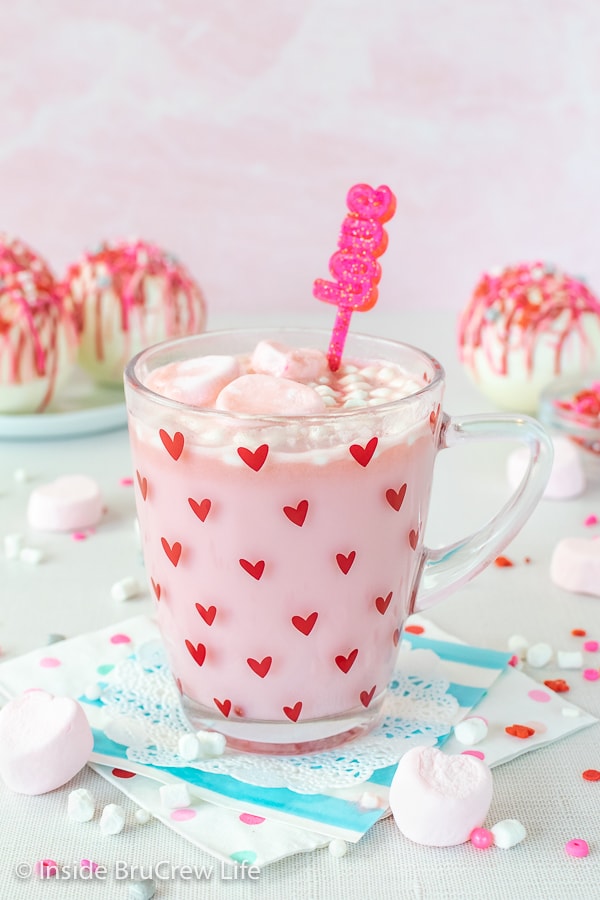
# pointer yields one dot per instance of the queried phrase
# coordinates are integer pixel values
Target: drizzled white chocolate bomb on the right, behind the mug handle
(525, 325)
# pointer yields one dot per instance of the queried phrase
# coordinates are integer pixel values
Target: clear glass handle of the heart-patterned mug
(446, 568)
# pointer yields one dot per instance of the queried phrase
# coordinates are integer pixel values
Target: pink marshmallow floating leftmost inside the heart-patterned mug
(196, 382)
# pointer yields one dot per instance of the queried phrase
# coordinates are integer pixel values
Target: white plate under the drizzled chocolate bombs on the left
(82, 408)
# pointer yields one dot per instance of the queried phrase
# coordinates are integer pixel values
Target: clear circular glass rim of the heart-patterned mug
(133, 381)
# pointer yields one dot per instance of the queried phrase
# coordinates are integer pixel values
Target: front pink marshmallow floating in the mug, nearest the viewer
(267, 395)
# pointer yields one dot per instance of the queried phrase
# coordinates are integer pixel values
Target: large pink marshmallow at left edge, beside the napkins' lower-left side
(44, 742)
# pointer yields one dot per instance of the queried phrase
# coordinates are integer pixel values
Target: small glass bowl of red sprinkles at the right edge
(571, 407)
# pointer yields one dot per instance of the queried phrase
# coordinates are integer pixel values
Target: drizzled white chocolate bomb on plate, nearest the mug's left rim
(127, 296)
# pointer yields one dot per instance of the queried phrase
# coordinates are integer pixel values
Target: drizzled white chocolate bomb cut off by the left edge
(37, 334)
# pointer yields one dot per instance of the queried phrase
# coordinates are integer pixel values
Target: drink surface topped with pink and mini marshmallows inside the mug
(280, 380)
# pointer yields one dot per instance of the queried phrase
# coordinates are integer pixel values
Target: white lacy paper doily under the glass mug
(145, 715)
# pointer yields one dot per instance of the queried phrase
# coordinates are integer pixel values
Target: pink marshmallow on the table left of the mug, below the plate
(70, 503)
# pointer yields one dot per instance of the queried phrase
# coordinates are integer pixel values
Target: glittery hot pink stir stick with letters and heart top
(354, 265)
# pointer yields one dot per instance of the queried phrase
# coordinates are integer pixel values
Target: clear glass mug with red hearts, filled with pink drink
(285, 552)
